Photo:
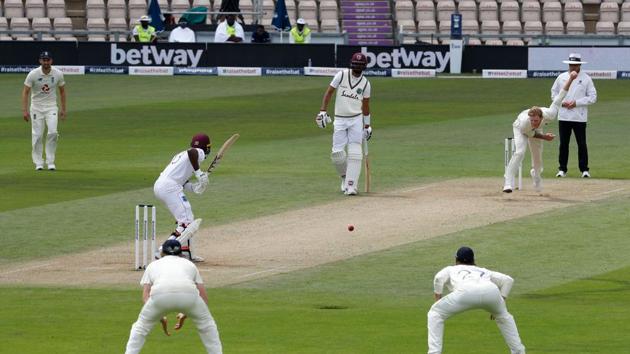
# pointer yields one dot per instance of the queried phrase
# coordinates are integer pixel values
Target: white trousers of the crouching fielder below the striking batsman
(189, 303)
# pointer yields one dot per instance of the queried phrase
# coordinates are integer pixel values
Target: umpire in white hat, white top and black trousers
(573, 114)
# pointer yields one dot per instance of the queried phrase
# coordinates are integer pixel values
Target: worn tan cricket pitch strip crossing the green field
(308, 237)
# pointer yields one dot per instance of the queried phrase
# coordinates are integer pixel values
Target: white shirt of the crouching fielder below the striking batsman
(171, 274)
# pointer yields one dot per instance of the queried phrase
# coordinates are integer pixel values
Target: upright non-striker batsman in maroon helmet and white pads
(352, 121)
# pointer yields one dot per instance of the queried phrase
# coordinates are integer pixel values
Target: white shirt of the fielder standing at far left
(44, 88)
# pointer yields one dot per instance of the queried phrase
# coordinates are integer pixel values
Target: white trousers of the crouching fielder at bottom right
(484, 296)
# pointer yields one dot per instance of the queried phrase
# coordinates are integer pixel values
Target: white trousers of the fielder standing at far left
(40, 119)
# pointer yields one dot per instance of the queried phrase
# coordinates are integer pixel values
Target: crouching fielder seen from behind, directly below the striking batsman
(173, 284)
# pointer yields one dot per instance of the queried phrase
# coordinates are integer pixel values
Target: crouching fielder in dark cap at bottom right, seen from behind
(471, 287)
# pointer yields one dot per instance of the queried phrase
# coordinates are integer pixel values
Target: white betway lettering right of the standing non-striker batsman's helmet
(400, 57)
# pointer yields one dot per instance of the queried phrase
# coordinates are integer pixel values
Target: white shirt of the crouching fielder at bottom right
(460, 277)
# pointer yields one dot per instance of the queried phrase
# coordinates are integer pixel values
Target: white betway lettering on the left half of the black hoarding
(150, 55)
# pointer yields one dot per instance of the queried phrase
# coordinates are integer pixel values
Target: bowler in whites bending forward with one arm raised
(528, 130)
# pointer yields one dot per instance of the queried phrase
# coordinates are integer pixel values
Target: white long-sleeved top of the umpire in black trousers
(582, 91)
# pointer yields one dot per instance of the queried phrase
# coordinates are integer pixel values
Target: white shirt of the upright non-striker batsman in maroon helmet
(350, 93)
